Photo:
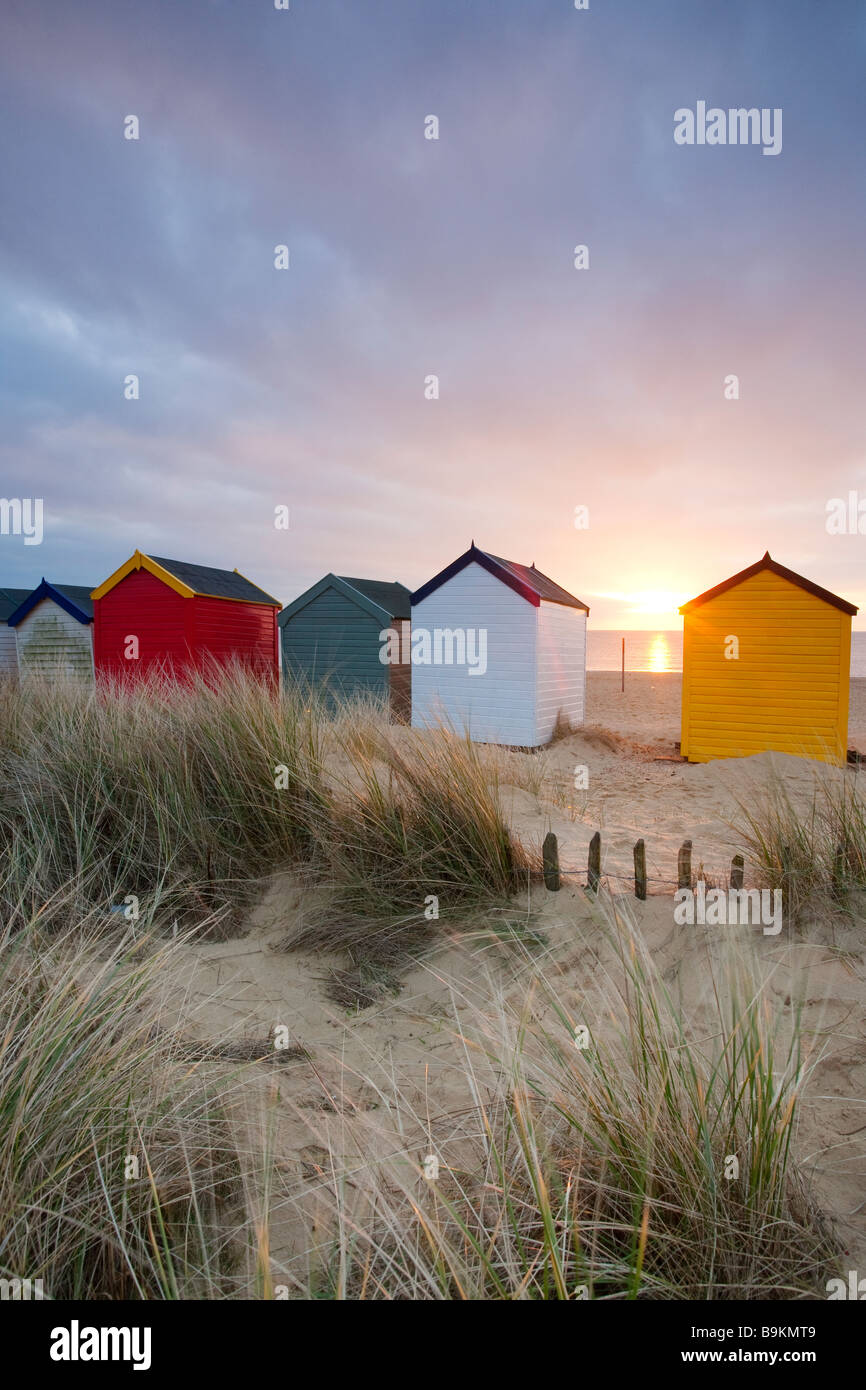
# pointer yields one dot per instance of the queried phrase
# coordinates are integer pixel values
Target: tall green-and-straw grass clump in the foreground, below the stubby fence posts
(655, 1163)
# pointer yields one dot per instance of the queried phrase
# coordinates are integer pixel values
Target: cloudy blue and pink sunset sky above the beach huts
(603, 389)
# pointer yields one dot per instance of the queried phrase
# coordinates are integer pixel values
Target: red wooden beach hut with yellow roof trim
(158, 615)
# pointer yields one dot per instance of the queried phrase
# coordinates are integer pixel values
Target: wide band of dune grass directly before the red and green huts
(193, 797)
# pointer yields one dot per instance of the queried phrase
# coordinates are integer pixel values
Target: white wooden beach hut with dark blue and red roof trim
(498, 651)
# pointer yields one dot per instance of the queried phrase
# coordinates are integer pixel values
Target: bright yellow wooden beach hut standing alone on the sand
(767, 661)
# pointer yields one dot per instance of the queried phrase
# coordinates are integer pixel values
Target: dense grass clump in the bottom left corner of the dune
(120, 1172)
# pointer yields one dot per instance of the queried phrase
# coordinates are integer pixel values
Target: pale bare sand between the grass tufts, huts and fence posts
(408, 1050)
